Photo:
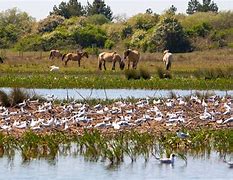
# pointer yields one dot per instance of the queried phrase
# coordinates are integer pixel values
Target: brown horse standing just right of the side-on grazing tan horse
(132, 56)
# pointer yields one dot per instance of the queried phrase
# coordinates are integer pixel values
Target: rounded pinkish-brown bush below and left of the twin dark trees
(50, 23)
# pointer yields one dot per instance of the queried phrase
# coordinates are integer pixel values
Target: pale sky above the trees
(40, 9)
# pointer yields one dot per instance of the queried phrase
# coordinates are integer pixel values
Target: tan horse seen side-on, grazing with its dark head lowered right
(110, 57)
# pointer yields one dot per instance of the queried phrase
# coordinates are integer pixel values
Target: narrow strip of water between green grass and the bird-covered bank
(79, 94)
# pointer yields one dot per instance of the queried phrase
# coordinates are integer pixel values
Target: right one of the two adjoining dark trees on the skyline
(99, 7)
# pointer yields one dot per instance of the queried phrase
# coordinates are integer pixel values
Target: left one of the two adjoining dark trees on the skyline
(67, 10)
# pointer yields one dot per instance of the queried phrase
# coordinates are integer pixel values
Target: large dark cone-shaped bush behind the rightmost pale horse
(169, 34)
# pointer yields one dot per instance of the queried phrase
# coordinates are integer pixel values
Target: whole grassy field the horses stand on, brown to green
(196, 70)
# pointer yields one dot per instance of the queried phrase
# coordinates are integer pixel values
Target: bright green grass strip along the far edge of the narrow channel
(106, 82)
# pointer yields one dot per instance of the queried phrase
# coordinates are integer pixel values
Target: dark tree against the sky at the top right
(196, 6)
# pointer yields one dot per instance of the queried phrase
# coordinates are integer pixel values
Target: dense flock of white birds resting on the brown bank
(168, 112)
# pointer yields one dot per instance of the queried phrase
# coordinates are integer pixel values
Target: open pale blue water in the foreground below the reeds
(70, 167)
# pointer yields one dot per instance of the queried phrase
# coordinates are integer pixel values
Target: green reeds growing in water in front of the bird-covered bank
(114, 147)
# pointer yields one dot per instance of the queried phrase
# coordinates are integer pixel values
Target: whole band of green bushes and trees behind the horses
(71, 25)
